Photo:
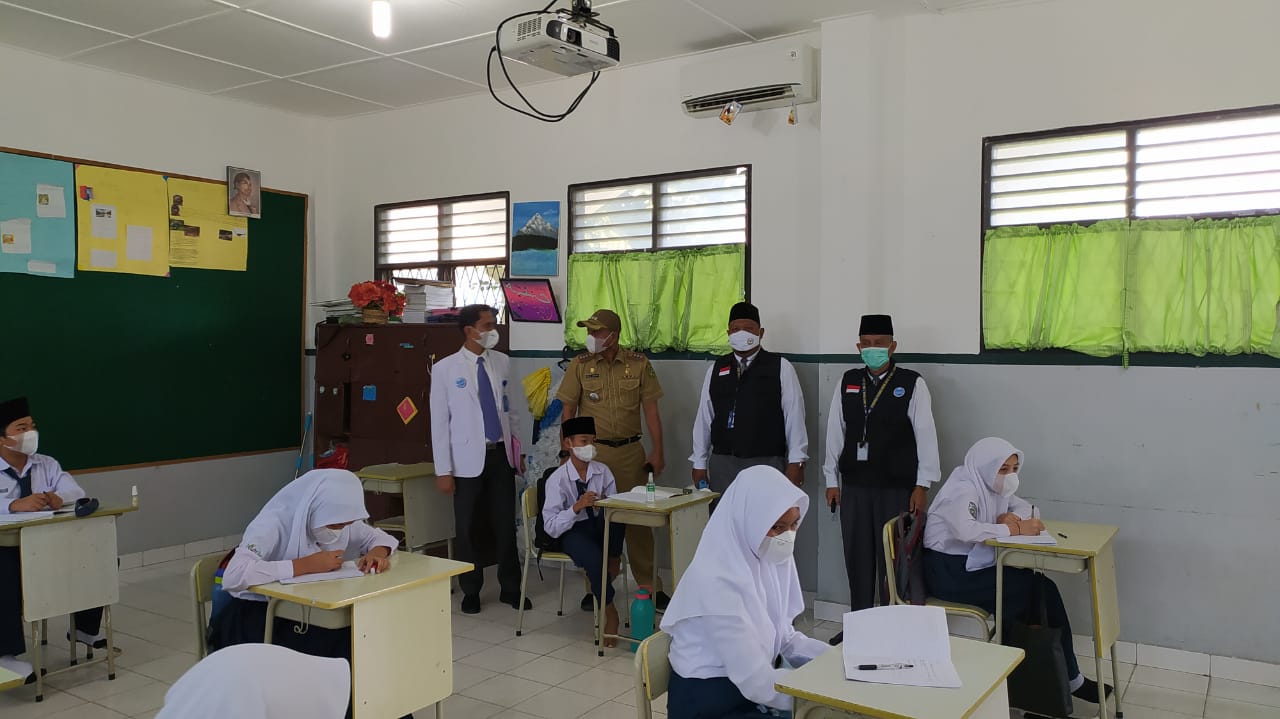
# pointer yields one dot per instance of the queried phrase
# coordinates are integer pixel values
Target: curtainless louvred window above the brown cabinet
(458, 240)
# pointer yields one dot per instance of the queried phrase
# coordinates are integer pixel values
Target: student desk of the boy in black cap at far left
(68, 565)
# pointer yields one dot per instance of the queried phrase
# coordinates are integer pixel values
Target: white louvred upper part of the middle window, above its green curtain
(662, 213)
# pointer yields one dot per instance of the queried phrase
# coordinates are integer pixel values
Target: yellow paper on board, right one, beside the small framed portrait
(202, 233)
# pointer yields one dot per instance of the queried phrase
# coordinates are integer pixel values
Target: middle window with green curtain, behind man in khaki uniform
(669, 254)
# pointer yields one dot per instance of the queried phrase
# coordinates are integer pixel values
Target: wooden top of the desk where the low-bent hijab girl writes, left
(408, 570)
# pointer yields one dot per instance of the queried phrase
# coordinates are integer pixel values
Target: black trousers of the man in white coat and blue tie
(490, 497)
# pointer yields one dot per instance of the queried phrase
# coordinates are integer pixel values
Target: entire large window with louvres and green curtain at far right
(1153, 236)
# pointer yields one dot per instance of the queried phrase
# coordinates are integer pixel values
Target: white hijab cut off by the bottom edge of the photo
(260, 681)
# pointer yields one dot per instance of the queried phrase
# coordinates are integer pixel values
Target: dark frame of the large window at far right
(1067, 358)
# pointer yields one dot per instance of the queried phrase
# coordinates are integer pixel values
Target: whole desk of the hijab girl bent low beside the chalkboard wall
(401, 642)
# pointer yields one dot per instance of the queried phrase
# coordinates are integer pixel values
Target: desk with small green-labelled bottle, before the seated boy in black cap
(685, 516)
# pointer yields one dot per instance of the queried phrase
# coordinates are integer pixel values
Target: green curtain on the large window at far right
(1197, 287)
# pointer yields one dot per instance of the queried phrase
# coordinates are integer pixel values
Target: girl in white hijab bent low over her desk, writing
(309, 528)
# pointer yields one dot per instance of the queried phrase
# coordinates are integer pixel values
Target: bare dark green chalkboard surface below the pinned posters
(130, 369)
